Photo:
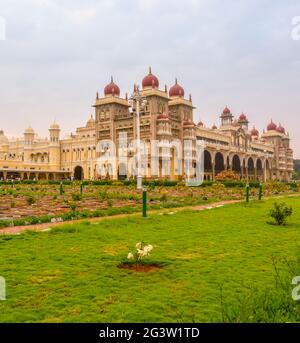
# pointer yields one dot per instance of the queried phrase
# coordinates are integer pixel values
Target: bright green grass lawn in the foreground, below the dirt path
(223, 264)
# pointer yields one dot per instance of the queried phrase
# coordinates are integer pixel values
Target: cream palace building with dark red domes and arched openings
(166, 115)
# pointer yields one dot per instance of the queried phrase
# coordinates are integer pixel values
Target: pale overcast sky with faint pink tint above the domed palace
(58, 53)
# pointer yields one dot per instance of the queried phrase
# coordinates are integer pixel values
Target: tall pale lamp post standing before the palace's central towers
(137, 102)
